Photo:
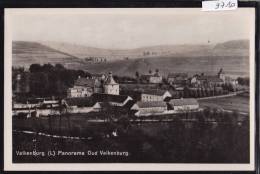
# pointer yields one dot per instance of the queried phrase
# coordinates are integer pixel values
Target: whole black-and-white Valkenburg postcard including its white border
(129, 89)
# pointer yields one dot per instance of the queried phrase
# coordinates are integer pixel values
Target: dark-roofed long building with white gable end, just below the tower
(114, 100)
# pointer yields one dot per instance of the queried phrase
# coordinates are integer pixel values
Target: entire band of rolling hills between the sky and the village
(232, 56)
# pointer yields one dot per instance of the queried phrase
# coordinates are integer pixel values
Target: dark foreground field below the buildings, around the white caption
(176, 142)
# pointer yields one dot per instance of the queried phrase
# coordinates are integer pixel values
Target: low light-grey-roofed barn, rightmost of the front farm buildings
(183, 104)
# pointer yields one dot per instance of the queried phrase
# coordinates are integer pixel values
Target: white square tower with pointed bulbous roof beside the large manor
(110, 86)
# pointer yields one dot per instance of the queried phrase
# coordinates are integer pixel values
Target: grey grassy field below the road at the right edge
(239, 103)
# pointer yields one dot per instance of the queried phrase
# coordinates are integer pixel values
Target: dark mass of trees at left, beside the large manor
(46, 80)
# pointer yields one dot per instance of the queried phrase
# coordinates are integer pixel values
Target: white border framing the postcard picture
(10, 166)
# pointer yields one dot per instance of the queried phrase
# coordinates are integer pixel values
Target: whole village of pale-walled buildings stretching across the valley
(149, 95)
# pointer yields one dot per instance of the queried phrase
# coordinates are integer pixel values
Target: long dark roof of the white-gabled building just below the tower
(101, 97)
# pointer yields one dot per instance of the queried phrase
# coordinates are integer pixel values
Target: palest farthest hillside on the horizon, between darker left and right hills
(143, 52)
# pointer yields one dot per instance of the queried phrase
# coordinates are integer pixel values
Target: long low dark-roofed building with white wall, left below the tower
(81, 105)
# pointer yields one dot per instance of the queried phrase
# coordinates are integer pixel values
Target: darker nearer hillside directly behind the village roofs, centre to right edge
(166, 65)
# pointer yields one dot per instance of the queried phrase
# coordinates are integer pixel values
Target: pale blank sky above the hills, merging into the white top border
(129, 28)
